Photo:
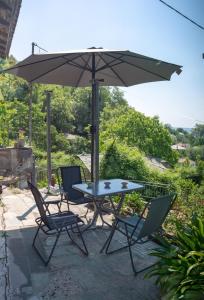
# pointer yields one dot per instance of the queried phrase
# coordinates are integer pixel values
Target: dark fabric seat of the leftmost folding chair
(62, 220)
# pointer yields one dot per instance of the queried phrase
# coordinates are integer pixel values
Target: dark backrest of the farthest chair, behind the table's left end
(71, 175)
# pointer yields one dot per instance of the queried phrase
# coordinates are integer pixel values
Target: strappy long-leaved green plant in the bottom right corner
(180, 269)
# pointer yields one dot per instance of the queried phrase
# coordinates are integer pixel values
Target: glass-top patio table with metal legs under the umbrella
(102, 189)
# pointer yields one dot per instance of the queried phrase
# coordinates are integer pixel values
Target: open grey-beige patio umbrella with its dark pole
(94, 66)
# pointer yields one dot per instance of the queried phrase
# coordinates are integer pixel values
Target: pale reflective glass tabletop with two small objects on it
(98, 189)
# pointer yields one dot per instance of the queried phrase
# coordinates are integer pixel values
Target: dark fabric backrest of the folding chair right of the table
(157, 212)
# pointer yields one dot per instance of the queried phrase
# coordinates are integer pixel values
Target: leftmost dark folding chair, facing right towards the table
(55, 224)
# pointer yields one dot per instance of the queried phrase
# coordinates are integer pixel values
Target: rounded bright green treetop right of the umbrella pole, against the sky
(136, 130)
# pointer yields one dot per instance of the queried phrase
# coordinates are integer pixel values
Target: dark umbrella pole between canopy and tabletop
(95, 133)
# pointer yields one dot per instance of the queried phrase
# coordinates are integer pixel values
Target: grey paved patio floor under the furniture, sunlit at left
(70, 275)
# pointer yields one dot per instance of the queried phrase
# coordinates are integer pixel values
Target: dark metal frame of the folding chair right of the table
(134, 237)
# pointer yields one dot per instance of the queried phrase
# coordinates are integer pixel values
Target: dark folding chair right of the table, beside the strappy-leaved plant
(138, 229)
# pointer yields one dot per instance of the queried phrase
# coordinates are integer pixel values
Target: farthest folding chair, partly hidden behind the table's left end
(72, 175)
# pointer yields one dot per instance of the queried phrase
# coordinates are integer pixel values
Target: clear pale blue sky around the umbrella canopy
(146, 27)
